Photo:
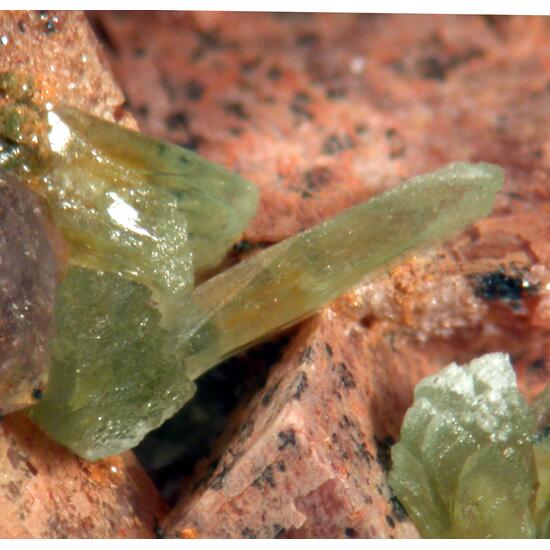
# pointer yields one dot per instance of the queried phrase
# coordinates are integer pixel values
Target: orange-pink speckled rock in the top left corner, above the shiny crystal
(60, 52)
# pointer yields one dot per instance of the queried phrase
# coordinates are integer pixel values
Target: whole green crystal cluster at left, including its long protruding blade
(141, 219)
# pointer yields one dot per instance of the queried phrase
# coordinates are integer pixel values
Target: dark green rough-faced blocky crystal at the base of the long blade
(110, 380)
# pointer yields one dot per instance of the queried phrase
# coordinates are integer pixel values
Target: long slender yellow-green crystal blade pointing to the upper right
(292, 279)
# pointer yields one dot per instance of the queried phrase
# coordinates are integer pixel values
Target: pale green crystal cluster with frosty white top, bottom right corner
(467, 464)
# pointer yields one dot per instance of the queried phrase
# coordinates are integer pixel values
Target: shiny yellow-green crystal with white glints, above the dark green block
(126, 203)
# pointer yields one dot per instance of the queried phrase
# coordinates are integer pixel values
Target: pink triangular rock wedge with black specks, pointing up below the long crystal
(309, 455)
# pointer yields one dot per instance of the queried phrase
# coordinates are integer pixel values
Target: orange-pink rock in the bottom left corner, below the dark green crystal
(47, 492)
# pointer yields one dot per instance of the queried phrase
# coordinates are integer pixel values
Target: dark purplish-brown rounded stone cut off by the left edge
(27, 286)
